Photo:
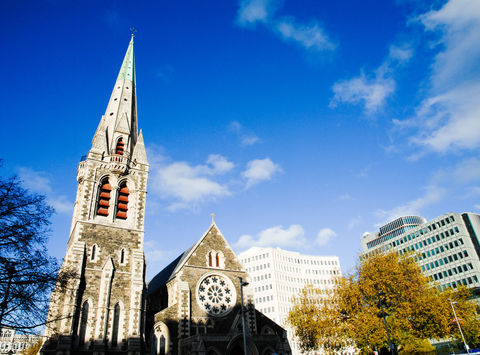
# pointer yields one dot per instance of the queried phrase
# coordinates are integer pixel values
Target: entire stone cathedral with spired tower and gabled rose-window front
(193, 306)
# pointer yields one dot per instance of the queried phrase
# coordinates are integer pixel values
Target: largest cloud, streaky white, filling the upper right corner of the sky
(448, 118)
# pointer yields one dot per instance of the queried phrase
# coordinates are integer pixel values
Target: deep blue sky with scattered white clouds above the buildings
(300, 124)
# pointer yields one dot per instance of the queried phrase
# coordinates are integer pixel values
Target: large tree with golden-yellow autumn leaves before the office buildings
(385, 290)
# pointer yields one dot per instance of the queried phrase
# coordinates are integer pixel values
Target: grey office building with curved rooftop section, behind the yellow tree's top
(448, 247)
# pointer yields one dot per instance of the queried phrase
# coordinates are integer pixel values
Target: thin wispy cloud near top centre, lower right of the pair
(308, 36)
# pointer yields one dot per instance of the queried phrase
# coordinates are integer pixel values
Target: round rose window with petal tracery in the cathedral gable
(216, 294)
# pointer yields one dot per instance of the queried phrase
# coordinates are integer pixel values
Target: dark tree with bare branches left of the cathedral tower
(27, 273)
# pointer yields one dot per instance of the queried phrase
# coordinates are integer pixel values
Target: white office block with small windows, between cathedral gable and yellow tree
(276, 276)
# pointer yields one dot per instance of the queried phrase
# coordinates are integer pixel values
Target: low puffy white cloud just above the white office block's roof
(274, 236)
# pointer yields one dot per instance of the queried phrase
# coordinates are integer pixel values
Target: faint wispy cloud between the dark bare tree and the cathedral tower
(40, 182)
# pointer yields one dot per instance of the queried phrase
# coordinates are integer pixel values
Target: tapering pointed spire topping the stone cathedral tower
(119, 123)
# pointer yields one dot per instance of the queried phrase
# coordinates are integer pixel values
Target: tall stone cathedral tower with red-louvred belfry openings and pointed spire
(102, 309)
